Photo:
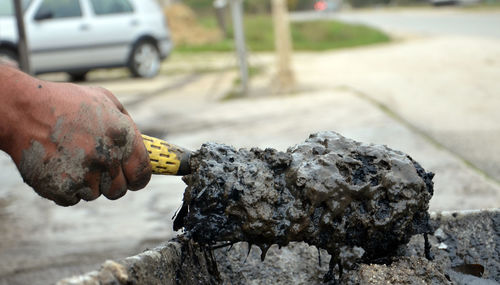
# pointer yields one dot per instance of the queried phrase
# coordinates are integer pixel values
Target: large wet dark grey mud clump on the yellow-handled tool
(331, 192)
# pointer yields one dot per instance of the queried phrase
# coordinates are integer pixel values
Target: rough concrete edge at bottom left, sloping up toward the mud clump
(175, 262)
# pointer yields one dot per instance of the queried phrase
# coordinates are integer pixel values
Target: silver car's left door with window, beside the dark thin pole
(58, 36)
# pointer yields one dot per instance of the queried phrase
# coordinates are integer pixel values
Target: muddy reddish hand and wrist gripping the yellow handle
(70, 142)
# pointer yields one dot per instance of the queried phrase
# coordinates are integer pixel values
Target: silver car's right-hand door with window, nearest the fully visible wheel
(117, 28)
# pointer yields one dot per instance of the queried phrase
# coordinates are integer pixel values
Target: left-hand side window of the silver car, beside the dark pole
(52, 9)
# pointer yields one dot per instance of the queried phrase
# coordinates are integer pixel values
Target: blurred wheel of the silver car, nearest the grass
(145, 60)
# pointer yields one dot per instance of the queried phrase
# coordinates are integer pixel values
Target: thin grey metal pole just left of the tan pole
(239, 40)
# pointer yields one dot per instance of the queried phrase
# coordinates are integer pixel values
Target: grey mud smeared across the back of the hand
(63, 176)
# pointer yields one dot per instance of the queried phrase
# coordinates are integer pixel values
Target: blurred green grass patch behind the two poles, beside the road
(306, 36)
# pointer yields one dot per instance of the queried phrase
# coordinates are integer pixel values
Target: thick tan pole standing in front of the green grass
(284, 80)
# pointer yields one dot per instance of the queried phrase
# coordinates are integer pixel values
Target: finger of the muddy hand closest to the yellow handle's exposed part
(136, 167)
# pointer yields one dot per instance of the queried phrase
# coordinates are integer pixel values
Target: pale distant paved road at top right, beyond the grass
(425, 22)
